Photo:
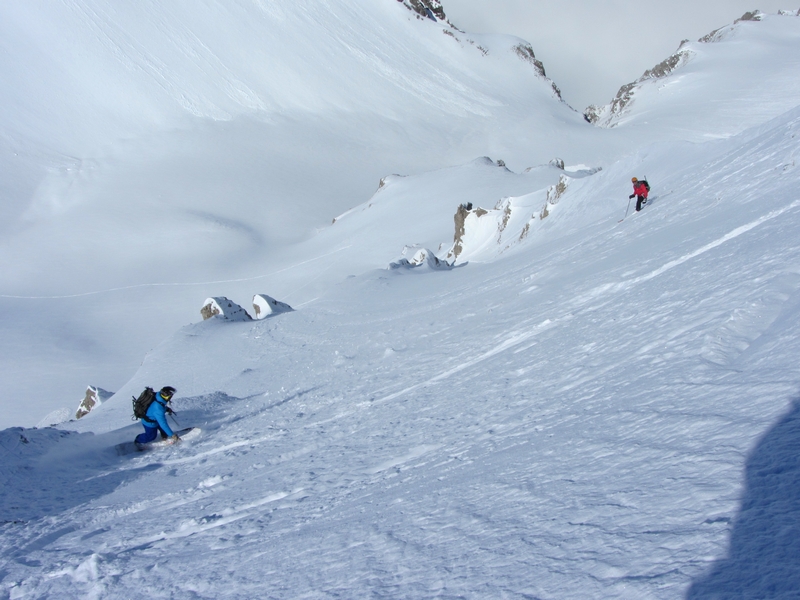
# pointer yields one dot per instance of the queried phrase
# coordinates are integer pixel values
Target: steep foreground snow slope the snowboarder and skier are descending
(571, 421)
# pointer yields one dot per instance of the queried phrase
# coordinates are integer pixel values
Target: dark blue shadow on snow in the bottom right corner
(764, 557)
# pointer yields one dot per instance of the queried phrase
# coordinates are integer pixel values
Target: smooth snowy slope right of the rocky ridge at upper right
(733, 78)
